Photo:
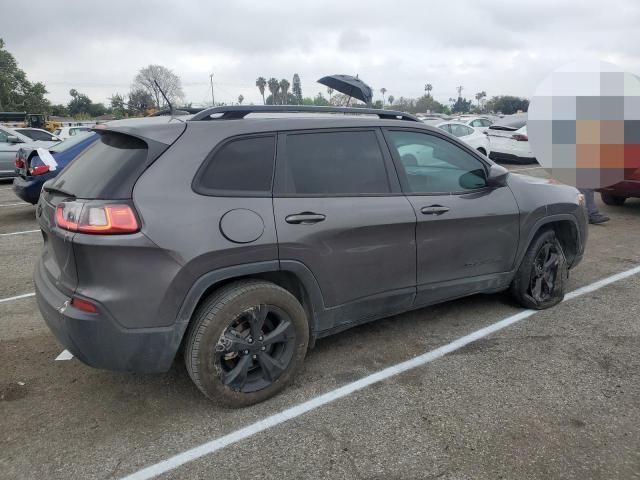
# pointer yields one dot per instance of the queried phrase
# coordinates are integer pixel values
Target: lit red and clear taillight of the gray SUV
(98, 219)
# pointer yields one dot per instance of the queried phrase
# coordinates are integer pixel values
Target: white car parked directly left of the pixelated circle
(509, 140)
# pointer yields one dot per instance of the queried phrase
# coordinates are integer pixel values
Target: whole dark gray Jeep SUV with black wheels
(240, 235)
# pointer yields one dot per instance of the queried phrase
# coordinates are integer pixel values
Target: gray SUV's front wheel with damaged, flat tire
(551, 280)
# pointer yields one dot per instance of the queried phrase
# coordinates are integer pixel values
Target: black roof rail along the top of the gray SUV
(240, 111)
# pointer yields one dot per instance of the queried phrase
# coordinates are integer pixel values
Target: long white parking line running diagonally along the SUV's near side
(317, 402)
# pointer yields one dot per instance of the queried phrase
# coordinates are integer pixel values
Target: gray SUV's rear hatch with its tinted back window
(106, 171)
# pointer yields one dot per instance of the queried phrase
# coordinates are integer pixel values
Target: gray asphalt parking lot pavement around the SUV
(555, 396)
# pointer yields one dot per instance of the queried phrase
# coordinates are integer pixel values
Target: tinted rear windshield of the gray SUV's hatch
(107, 169)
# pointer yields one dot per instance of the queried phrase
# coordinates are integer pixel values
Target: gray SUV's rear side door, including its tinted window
(339, 211)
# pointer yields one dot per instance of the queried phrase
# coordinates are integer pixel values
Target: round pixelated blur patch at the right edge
(584, 124)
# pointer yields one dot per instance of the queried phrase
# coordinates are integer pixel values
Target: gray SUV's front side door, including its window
(467, 232)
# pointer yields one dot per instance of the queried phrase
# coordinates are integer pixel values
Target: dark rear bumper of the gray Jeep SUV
(98, 341)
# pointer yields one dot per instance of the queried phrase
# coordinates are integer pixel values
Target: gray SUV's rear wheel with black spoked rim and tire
(221, 356)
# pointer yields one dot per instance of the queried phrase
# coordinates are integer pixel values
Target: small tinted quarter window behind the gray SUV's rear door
(243, 165)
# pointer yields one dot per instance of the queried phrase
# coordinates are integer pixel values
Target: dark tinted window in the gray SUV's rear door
(333, 163)
